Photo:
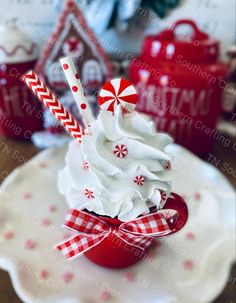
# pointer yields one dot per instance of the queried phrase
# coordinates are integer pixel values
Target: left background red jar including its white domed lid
(20, 112)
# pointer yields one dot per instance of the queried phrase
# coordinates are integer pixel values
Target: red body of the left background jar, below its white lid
(21, 114)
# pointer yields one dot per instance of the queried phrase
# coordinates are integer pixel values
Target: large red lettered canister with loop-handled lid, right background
(180, 81)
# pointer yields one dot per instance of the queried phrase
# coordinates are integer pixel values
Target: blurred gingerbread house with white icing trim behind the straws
(73, 37)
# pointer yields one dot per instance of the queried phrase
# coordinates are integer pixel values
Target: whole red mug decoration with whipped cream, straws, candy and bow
(119, 196)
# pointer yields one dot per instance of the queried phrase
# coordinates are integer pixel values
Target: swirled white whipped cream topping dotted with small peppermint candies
(120, 169)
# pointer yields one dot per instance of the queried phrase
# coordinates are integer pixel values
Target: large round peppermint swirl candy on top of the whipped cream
(118, 91)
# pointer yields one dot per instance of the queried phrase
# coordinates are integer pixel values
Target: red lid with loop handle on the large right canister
(167, 46)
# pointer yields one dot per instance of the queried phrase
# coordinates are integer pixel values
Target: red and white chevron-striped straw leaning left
(53, 104)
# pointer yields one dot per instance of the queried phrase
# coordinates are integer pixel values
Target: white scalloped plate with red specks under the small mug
(191, 266)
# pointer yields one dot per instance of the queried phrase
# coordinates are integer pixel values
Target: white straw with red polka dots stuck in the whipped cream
(74, 82)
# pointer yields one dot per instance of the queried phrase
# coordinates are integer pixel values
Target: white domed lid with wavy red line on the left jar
(15, 45)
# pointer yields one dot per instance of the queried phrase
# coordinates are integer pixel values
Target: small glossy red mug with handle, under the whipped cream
(114, 253)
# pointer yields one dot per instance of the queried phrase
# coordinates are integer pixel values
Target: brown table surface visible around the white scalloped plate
(15, 153)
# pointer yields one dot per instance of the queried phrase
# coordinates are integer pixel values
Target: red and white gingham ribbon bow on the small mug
(91, 230)
